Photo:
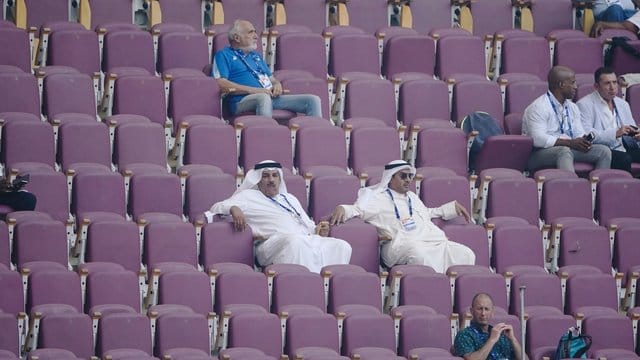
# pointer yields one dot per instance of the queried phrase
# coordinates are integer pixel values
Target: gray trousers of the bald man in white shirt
(563, 157)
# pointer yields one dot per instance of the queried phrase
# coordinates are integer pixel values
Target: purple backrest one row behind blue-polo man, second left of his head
(137, 45)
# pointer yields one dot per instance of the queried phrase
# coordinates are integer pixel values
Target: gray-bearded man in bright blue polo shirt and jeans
(241, 71)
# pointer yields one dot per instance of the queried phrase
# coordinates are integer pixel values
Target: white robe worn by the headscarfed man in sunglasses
(427, 244)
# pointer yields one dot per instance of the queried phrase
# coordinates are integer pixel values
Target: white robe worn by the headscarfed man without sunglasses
(289, 238)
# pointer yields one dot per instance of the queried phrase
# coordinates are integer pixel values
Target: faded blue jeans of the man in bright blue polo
(264, 105)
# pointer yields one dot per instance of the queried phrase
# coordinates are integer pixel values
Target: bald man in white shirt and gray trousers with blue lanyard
(554, 123)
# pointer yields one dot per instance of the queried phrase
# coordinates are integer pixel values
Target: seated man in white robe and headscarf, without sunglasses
(263, 203)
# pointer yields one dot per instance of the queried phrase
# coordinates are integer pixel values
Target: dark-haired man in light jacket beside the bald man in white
(609, 118)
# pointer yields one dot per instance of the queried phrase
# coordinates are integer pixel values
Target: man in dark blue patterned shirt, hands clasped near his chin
(480, 341)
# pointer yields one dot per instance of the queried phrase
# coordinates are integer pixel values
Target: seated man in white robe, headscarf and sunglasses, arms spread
(400, 215)
